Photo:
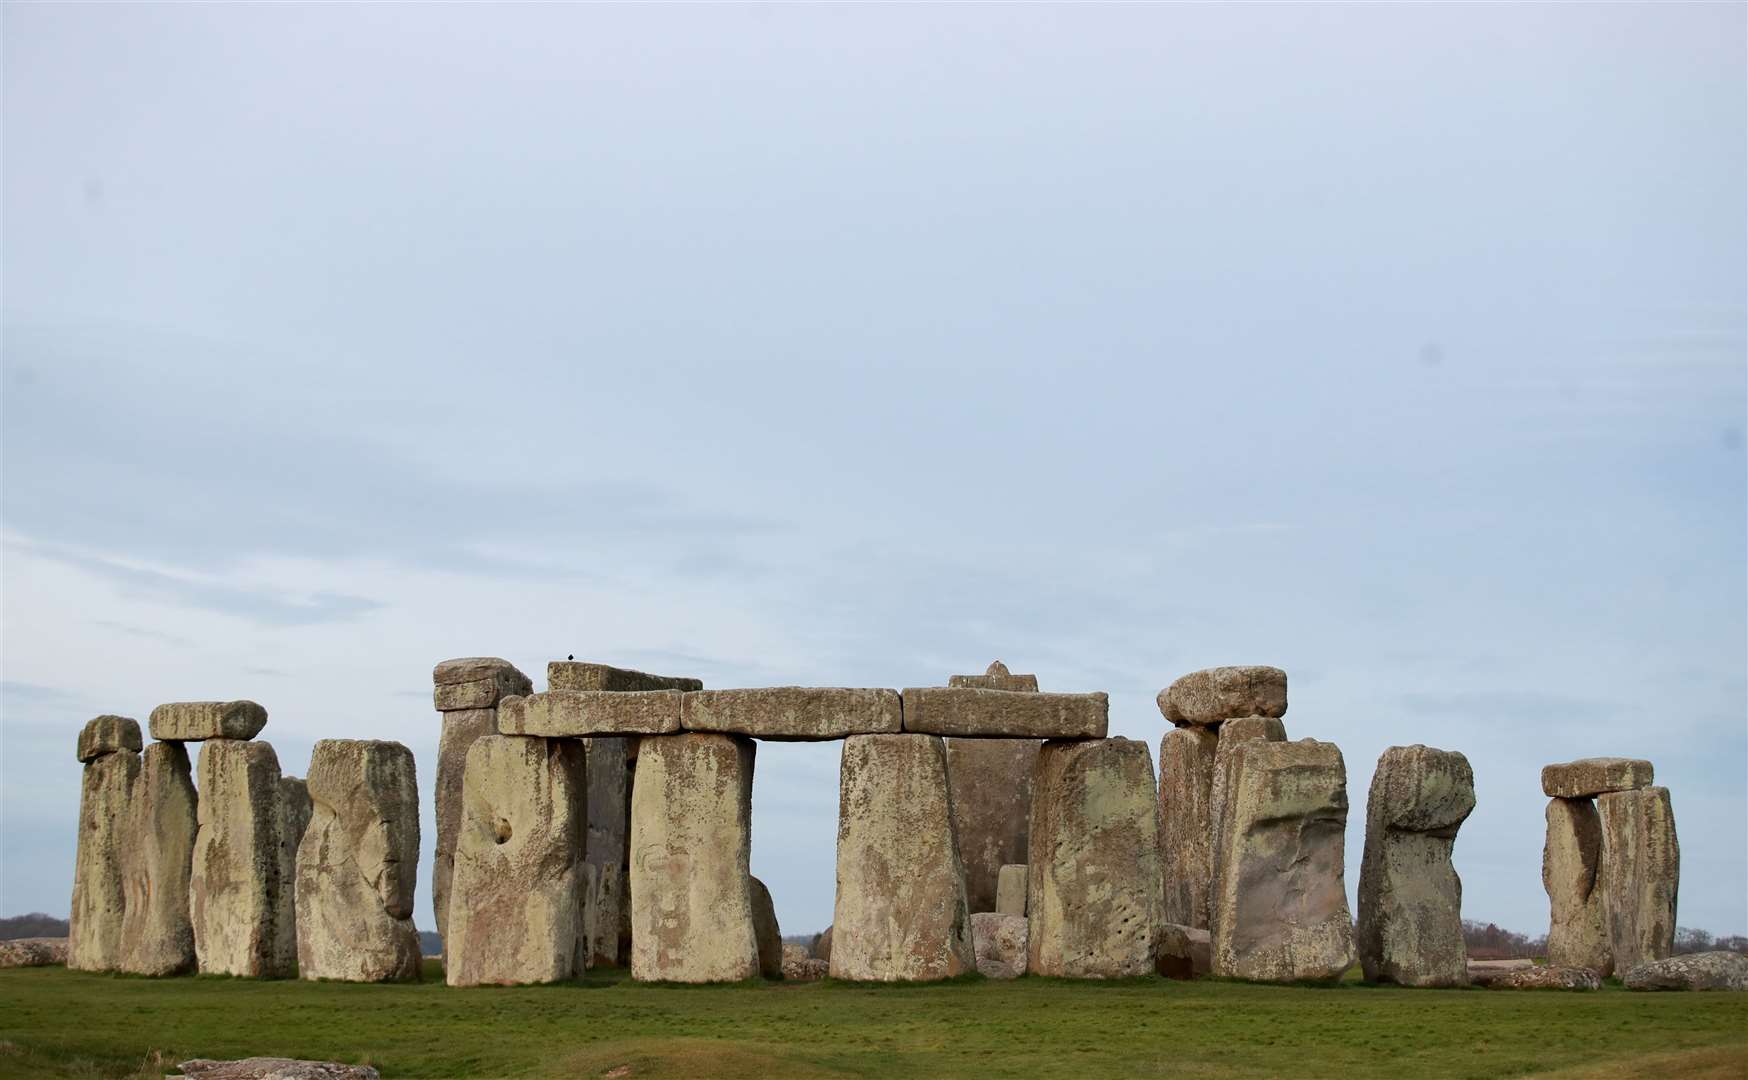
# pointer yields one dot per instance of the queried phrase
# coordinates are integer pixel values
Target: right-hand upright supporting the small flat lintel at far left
(240, 896)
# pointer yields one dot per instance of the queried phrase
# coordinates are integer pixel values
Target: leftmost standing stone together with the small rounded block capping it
(111, 751)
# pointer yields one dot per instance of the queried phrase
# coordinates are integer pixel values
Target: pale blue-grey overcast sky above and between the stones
(1398, 347)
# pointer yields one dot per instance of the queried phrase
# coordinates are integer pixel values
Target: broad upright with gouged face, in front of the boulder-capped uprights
(1280, 906)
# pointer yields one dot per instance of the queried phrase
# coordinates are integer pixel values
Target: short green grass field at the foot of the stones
(59, 1023)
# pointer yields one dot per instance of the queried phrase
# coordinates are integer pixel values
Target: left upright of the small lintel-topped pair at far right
(1578, 936)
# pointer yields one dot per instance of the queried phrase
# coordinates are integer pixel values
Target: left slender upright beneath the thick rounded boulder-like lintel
(1186, 829)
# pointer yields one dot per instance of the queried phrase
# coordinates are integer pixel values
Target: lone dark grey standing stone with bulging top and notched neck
(1412, 899)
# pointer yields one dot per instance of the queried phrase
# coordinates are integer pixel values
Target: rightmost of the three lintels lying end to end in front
(1004, 716)
